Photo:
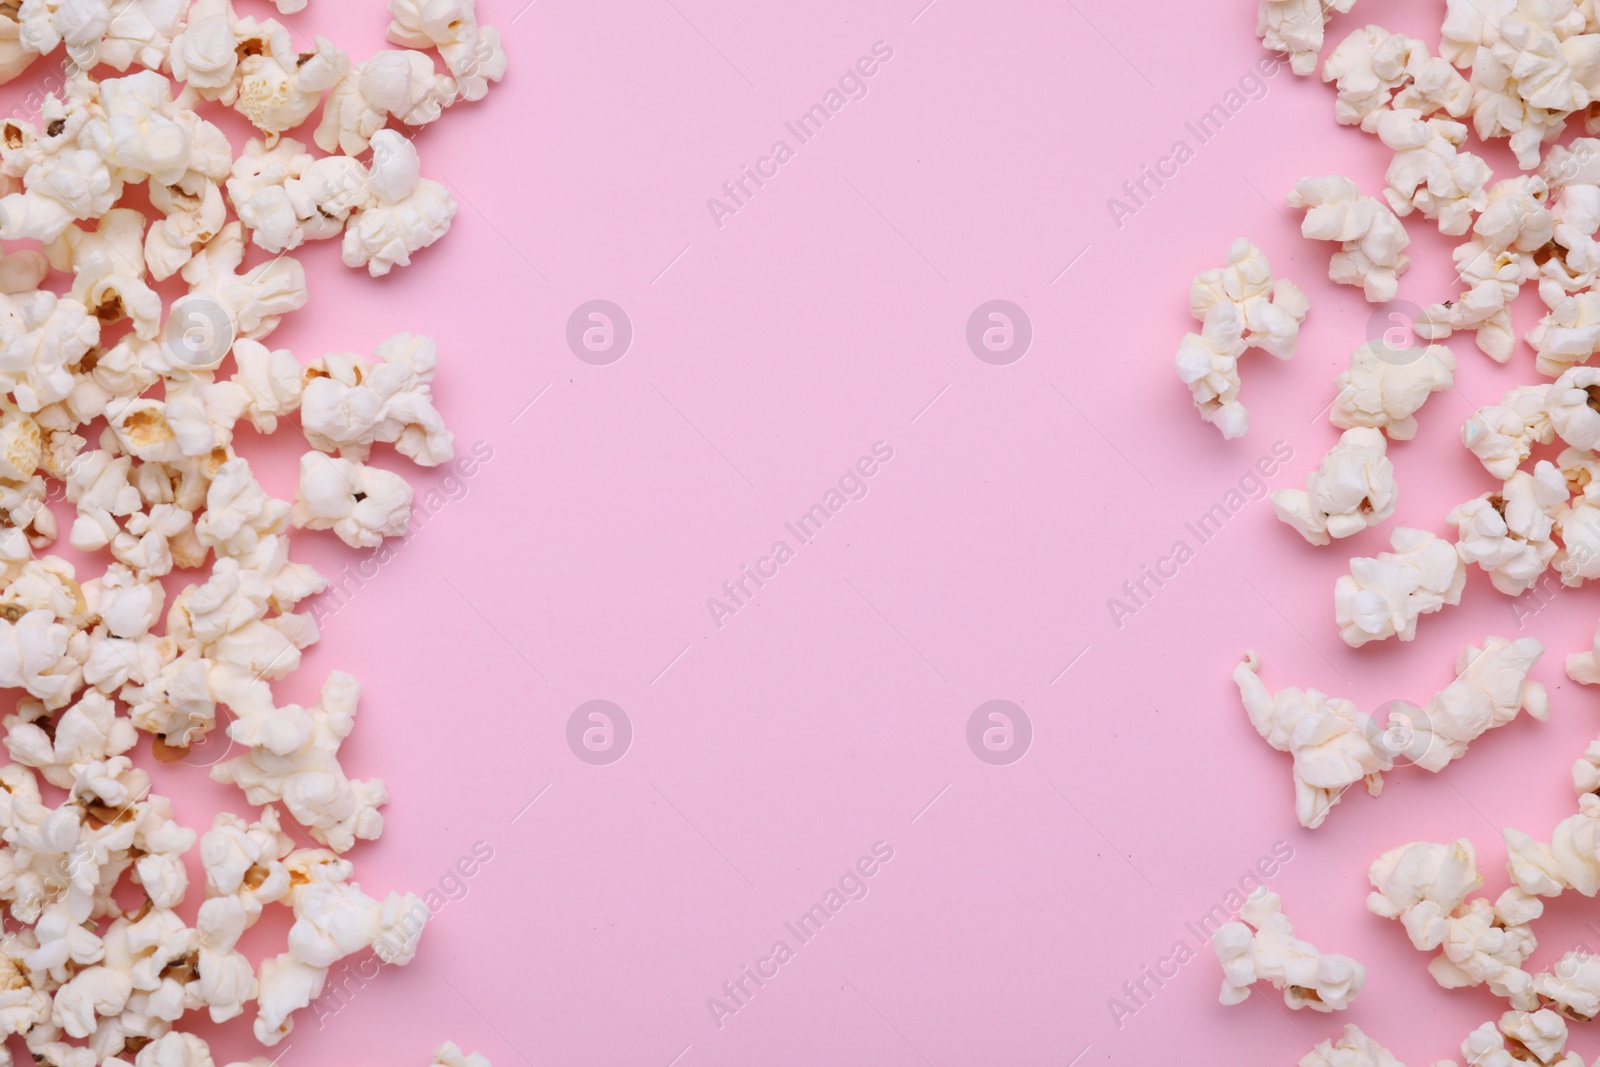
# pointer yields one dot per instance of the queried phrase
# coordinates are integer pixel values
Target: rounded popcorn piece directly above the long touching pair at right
(1385, 596)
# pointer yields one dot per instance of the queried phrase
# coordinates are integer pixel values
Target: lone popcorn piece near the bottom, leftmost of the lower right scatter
(1262, 946)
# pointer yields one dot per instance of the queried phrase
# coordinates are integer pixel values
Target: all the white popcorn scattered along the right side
(1514, 70)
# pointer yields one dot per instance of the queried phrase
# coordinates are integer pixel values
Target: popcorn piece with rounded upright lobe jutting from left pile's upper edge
(404, 212)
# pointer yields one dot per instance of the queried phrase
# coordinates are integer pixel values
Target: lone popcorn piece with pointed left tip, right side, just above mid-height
(1351, 490)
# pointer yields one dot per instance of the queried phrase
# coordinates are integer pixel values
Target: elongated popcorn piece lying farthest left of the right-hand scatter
(1241, 308)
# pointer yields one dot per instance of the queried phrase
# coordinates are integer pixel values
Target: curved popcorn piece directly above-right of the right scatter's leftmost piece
(1372, 239)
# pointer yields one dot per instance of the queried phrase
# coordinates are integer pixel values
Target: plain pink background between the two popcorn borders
(774, 751)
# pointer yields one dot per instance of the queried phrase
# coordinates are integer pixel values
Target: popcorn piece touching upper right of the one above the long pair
(1511, 533)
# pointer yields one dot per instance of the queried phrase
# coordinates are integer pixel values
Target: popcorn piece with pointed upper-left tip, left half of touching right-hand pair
(1326, 735)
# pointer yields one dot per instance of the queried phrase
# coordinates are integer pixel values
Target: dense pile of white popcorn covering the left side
(126, 407)
